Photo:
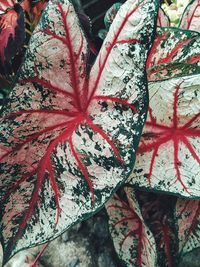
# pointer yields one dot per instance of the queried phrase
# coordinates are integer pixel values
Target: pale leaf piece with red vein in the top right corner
(191, 17)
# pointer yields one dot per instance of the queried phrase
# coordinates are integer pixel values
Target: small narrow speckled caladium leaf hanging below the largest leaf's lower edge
(132, 239)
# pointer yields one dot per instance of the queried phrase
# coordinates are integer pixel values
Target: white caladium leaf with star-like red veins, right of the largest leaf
(169, 152)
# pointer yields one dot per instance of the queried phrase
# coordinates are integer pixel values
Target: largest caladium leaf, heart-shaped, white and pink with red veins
(68, 139)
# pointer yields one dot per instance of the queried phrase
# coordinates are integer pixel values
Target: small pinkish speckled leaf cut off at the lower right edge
(187, 218)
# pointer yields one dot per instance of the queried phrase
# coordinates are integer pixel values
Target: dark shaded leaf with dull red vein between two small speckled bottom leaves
(159, 218)
